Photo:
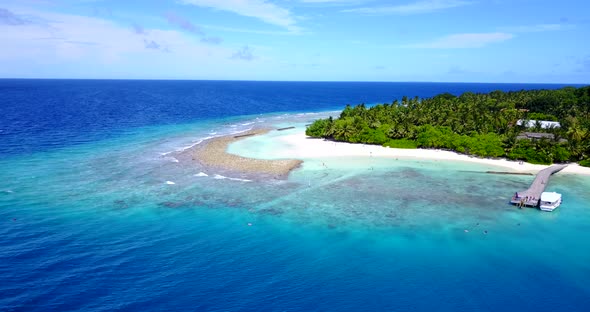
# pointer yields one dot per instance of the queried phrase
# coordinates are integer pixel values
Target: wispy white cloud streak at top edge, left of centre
(263, 10)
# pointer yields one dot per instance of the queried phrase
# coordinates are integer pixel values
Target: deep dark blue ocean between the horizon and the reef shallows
(43, 114)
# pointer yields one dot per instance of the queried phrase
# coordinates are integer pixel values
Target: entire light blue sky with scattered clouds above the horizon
(529, 41)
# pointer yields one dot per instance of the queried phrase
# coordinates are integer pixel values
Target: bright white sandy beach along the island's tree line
(299, 146)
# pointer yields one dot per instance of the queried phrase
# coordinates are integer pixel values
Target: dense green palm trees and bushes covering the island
(477, 124)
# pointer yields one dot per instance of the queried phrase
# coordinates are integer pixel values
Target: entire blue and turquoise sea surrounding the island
(97, 215)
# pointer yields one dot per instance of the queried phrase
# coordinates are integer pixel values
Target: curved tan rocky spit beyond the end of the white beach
(213, 154)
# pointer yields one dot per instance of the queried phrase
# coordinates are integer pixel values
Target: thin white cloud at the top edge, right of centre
(418, 7)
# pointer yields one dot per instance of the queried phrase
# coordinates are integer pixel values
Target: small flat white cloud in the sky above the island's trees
(464, 41)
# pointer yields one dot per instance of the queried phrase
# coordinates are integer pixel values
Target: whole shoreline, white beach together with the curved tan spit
(296, 148)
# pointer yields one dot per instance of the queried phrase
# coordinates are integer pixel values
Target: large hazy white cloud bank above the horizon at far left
(79, 42)
